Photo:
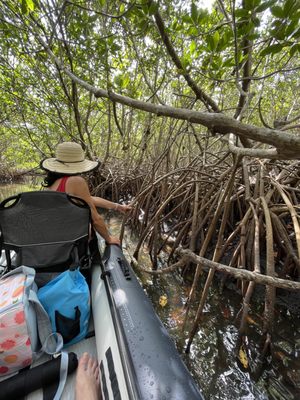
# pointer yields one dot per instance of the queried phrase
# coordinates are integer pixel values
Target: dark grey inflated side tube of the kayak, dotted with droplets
(152, 367)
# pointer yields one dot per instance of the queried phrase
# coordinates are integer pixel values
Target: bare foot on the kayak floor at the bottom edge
(87, 379)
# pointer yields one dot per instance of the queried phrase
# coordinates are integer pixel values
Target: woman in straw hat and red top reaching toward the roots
(63, 175)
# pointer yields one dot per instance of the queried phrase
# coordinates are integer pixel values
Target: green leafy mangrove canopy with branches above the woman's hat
(234, 65)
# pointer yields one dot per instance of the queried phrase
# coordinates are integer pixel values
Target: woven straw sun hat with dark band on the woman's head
(69, 160)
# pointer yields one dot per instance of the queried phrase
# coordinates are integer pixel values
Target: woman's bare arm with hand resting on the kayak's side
(77, 186)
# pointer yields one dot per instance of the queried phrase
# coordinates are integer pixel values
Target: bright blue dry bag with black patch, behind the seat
(67, 302)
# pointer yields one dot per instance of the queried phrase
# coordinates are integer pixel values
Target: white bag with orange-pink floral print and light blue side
(24, 324)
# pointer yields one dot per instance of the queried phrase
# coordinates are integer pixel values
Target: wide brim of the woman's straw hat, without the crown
(53, 165)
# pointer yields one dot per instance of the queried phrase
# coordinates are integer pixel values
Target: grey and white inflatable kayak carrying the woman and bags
(137, 358)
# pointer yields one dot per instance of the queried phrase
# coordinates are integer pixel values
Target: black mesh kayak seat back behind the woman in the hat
(44, 228)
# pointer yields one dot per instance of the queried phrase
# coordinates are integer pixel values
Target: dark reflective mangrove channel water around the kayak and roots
(213, 360)
